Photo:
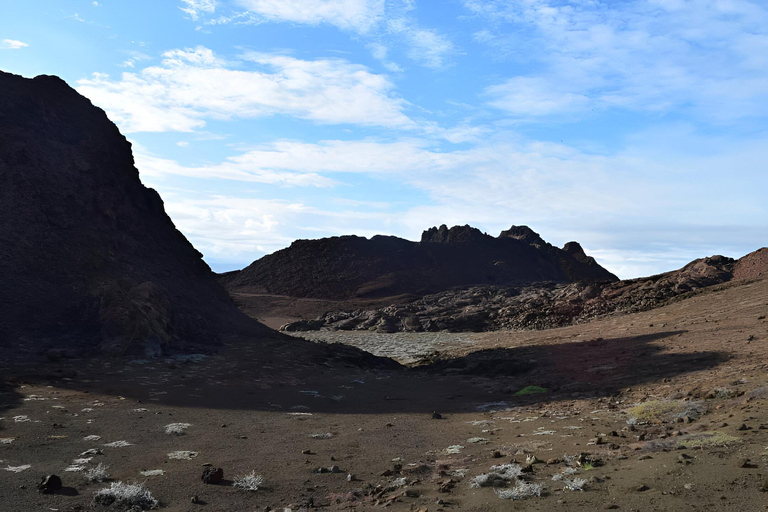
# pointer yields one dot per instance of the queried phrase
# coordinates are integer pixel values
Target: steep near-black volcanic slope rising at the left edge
(88, 256)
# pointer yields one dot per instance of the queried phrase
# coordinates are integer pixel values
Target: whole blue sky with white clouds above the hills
(638, 128)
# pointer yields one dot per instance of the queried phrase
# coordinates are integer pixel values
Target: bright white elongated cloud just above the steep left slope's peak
(191, 86)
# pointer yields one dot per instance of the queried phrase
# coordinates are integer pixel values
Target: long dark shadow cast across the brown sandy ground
(276, 375)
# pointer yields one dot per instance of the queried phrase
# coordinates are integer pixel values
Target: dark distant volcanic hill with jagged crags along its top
(351, 266)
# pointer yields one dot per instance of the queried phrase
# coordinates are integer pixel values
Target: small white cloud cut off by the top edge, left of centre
(355, 15)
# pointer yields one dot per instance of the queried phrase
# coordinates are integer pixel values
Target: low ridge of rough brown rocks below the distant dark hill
(539, 306)
